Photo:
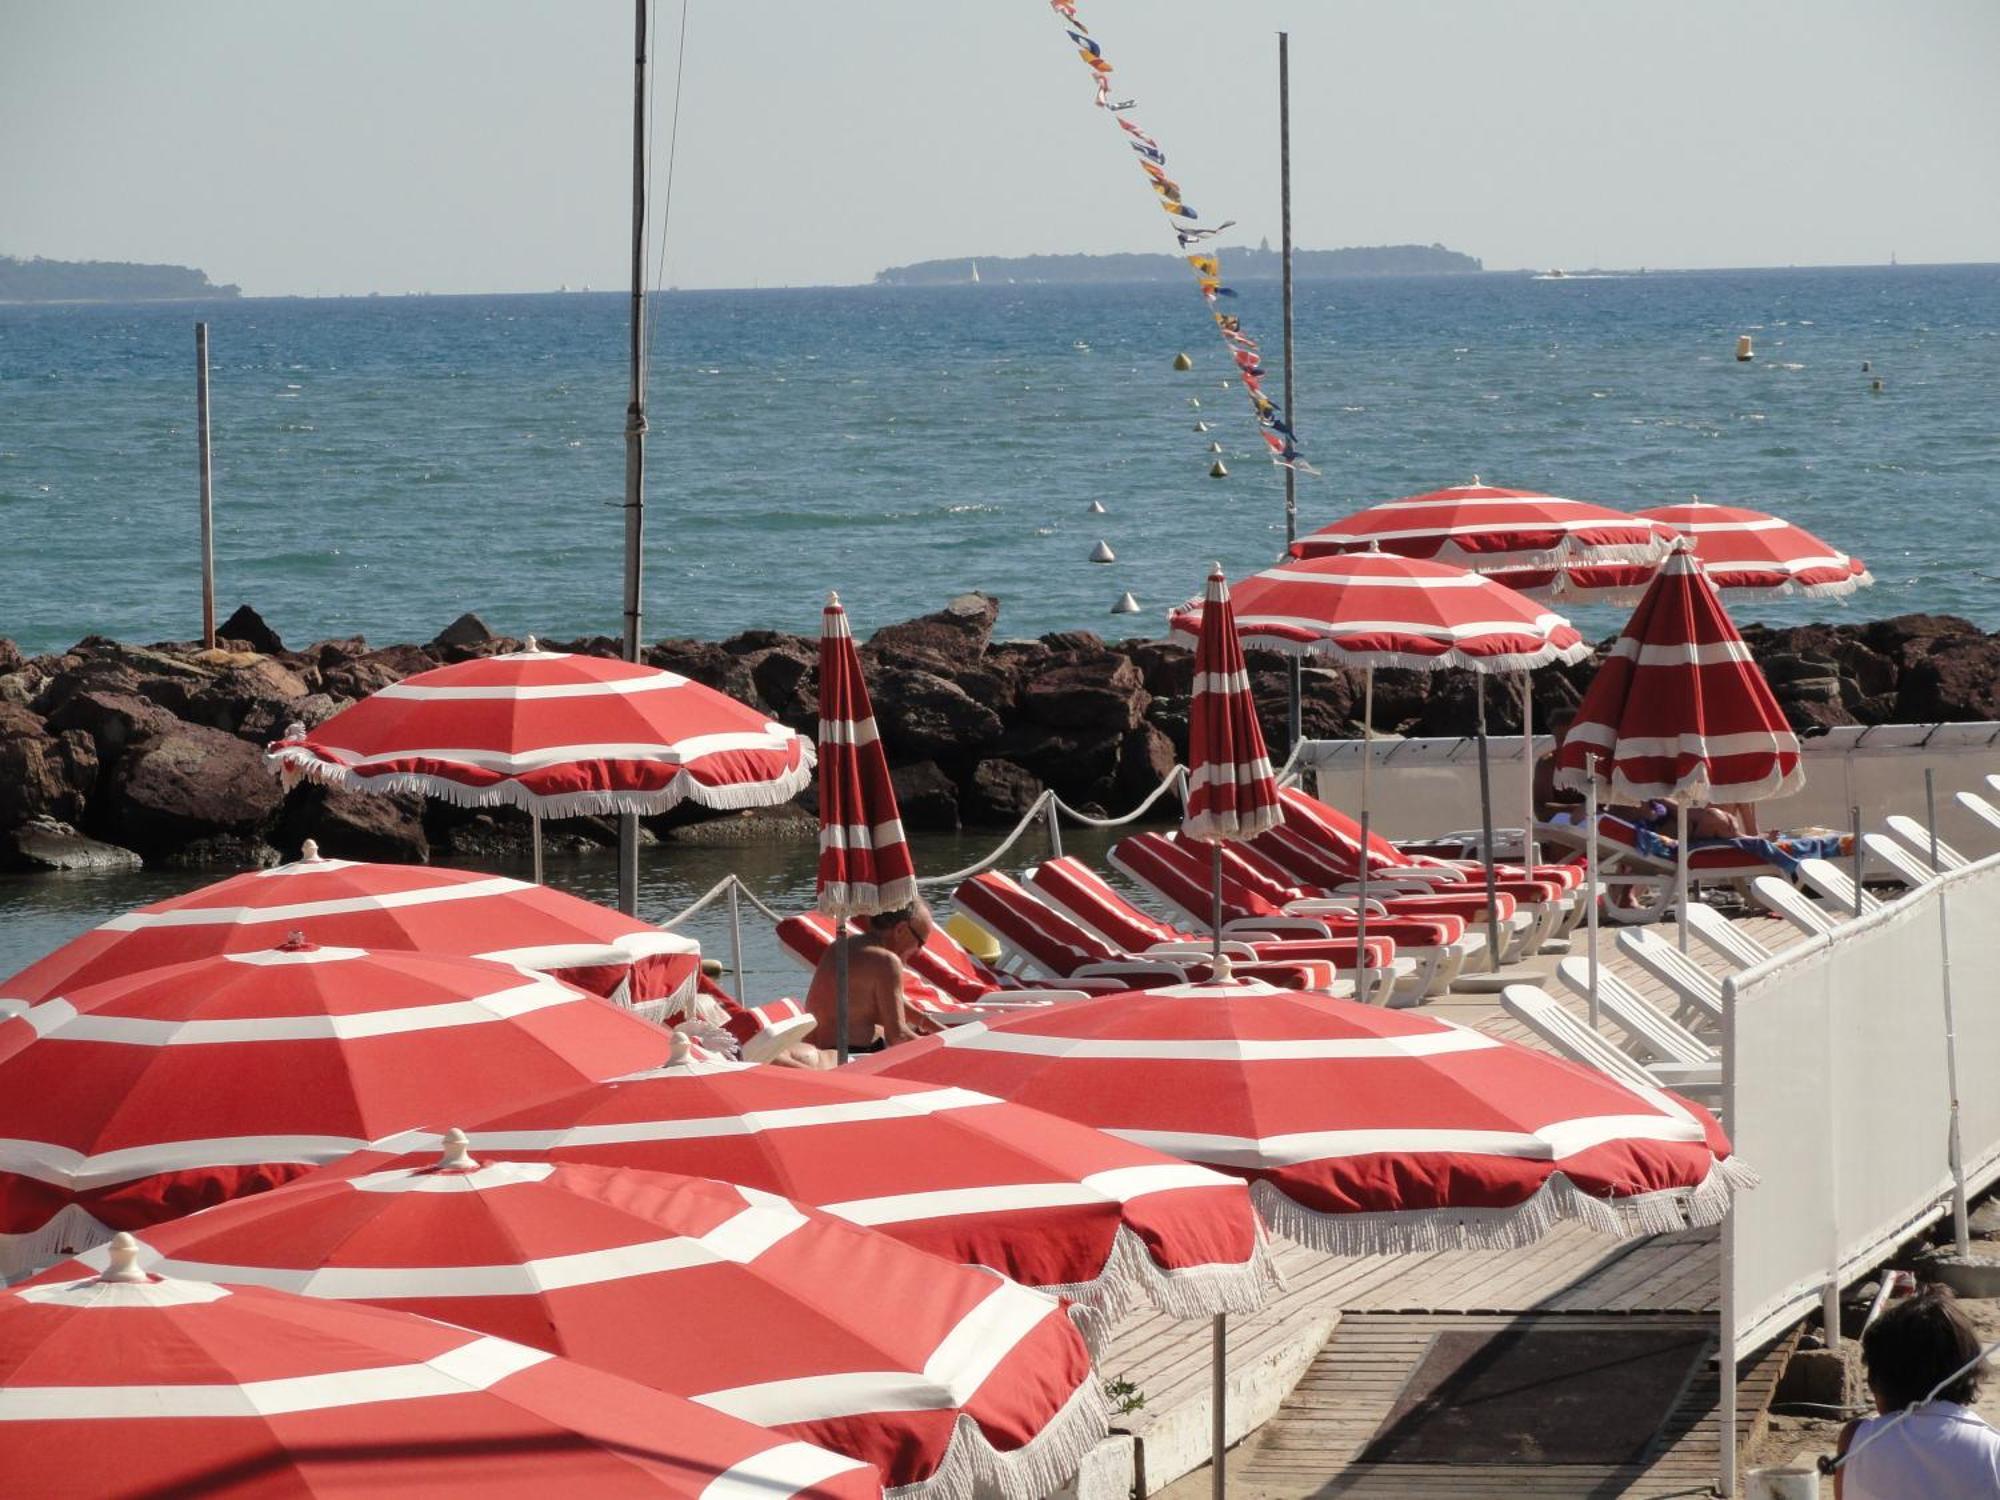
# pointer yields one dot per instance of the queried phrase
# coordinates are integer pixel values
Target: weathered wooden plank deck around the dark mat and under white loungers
(1379, 1313)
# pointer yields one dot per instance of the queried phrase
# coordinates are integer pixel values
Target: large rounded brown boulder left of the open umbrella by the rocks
(187, 783)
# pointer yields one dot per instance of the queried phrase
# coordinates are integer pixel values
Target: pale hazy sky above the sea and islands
(457, 147)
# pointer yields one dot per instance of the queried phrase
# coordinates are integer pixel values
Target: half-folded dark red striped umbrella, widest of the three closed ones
(1679, 709)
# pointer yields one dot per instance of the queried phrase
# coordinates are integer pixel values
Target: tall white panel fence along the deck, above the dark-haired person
(1839, 1093)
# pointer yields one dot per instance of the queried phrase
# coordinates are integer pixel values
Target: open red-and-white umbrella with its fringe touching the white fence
(1361, 1129)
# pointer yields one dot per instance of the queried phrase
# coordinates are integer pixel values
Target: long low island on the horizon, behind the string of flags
(1239, 265)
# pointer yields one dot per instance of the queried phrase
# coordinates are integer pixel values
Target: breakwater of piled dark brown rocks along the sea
(115, 753)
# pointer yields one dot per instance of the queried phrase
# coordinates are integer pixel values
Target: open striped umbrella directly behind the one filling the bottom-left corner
(947, 1379)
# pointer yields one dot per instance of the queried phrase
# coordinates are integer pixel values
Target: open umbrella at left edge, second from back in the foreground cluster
(175, 1089)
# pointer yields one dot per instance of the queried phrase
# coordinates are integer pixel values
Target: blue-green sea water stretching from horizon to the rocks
(389, 463)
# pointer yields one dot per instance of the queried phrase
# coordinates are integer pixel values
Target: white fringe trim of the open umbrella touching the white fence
(1505, 1229)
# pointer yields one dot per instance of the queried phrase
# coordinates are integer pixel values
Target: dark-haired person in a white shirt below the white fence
(1935, 1449)
